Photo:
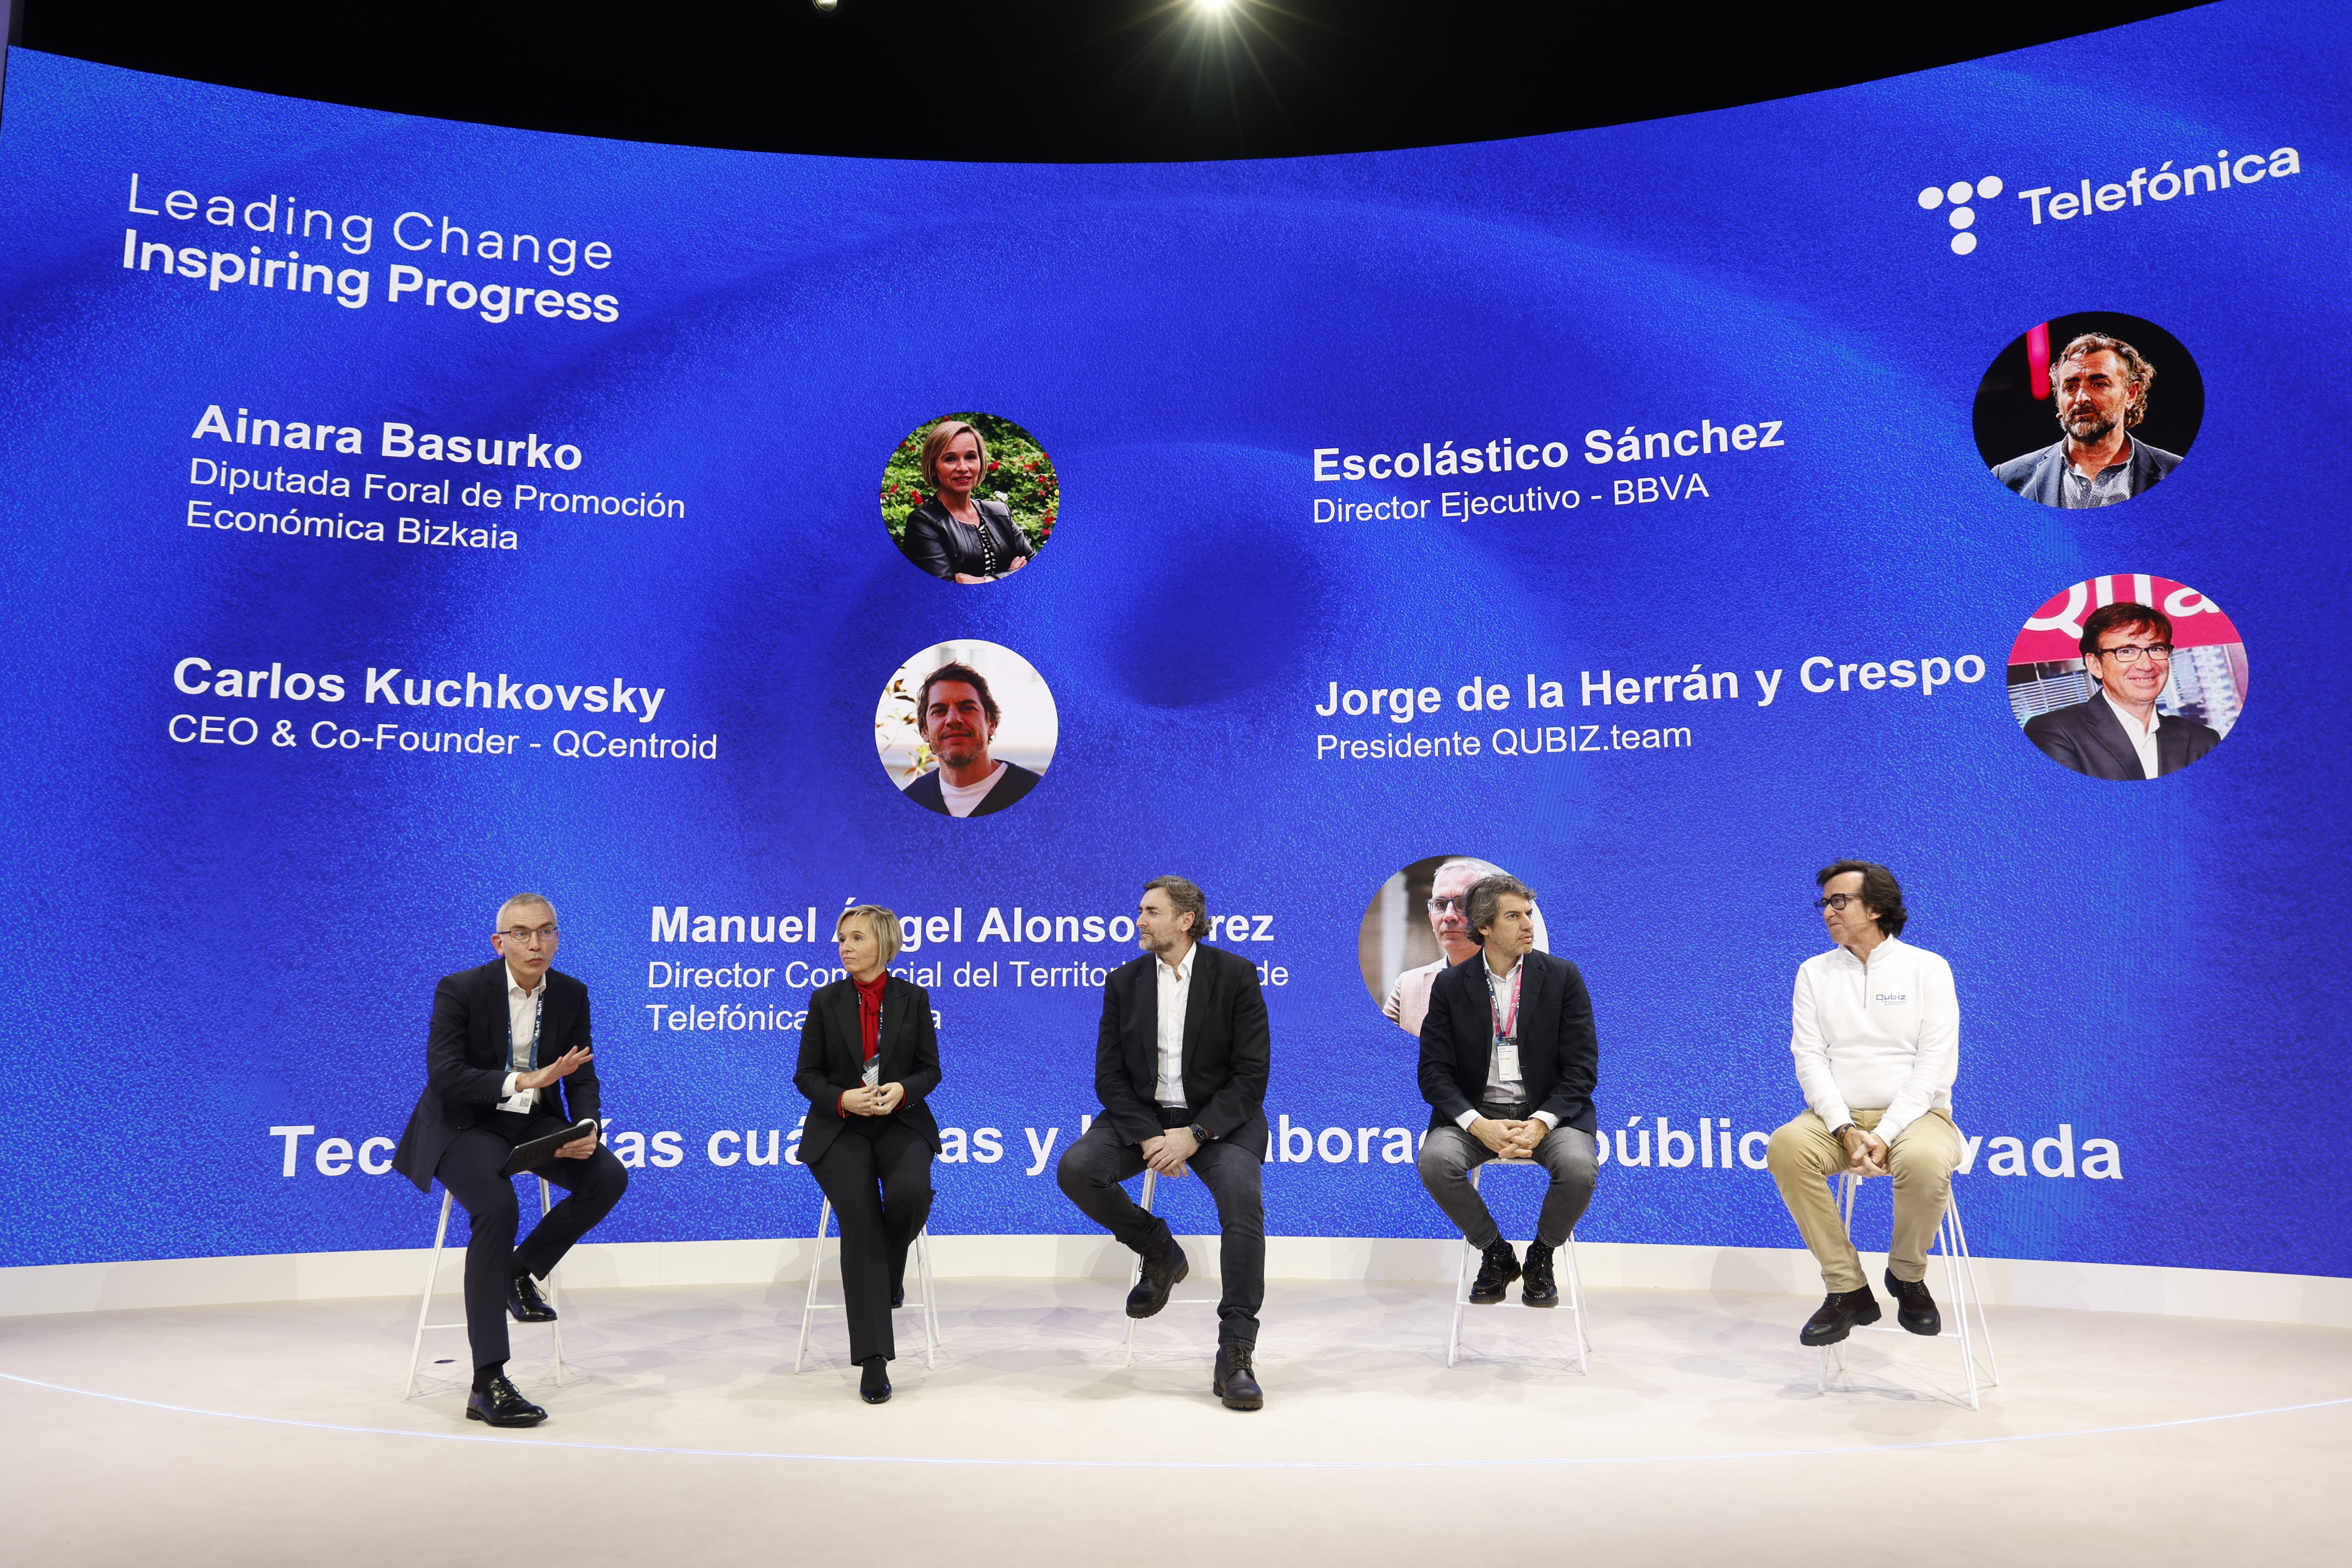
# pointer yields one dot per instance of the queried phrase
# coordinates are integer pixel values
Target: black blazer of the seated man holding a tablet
(467, 1064)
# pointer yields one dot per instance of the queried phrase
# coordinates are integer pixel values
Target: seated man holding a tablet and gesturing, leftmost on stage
(509, 1061)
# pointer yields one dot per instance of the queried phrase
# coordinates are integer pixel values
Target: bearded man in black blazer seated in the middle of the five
(1182, 1064)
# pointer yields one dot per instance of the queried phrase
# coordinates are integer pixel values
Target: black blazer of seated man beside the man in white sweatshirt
(1558, 1054)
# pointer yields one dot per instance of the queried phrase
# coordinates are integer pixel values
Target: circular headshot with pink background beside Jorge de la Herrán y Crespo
(2127, 678)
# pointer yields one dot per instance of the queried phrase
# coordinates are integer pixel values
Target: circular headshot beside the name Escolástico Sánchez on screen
(2090, 410)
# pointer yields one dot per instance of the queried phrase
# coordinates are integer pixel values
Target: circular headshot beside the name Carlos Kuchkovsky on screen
(965, 728)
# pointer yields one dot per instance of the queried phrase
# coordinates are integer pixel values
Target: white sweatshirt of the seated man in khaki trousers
(1876, 1036)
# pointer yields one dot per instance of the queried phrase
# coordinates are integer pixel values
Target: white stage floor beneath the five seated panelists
(274, 1435)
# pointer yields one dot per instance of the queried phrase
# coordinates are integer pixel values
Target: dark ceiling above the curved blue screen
(1041, 79)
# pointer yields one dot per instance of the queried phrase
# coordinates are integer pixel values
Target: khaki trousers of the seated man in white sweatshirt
(1803, 1160)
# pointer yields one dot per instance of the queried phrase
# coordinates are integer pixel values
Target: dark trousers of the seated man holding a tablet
(469, 1170)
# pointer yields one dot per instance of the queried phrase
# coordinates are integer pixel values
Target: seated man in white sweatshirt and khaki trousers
(1876, 1033)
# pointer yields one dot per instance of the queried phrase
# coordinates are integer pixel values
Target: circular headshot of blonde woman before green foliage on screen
(970, 497)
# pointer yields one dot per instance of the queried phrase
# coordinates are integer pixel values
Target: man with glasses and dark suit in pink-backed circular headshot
(2120, 735)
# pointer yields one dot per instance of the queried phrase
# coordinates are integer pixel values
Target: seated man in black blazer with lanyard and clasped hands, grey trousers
(1509, 1064)
